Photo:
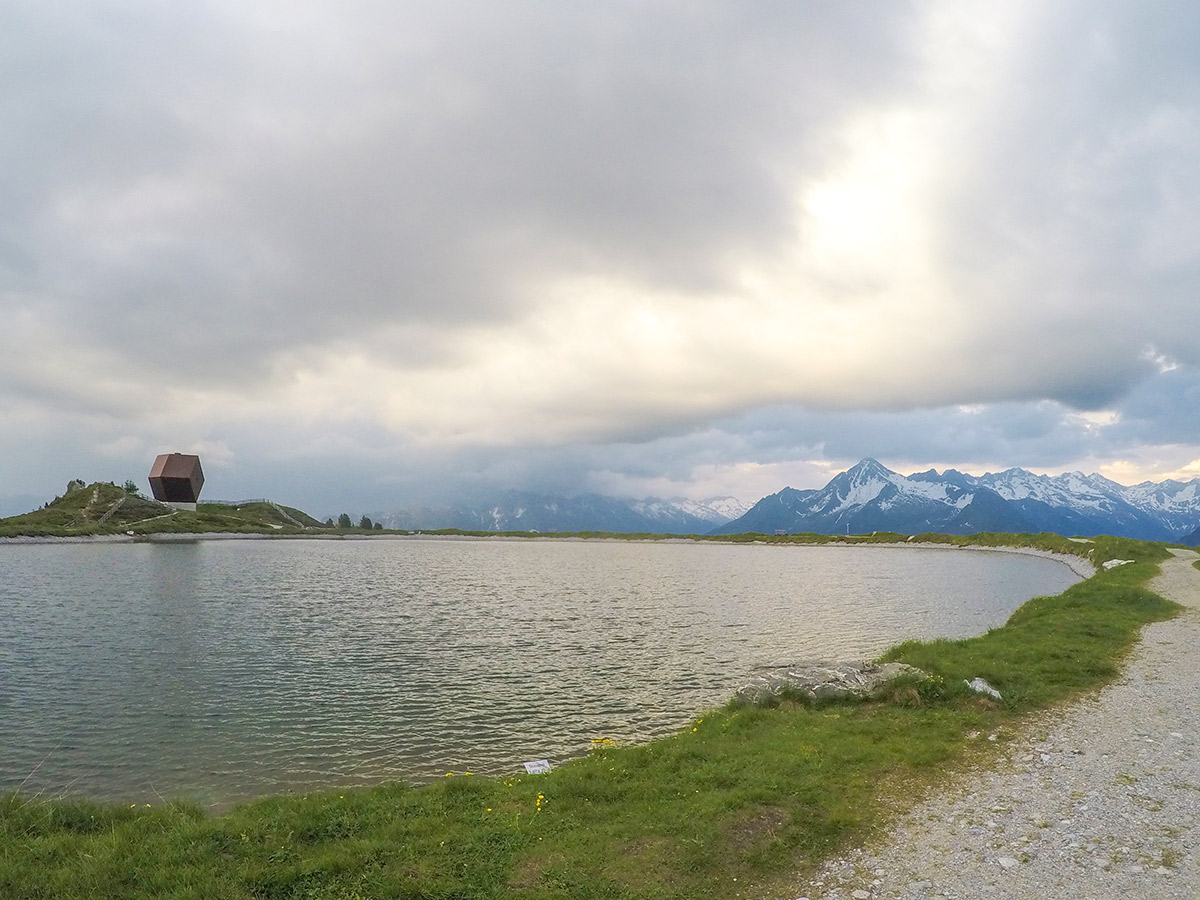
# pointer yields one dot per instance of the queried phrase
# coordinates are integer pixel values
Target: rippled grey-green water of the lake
(223, 670)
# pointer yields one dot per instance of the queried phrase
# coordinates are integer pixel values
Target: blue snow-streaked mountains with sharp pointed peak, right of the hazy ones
(871, 497)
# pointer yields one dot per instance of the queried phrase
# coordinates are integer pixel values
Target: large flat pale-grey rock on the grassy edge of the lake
(823, 680)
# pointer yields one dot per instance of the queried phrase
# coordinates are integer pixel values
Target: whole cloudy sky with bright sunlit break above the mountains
(365, 255)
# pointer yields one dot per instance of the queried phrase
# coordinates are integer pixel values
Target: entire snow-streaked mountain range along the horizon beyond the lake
(868, 497)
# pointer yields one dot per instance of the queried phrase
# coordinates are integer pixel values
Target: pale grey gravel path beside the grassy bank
(1097, 801)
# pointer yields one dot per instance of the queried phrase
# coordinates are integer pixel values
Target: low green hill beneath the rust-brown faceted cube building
(109, 509)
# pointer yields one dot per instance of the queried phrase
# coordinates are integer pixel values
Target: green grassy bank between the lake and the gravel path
(742, 800)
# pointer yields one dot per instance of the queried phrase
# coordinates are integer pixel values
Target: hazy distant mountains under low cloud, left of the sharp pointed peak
(524, 512)
